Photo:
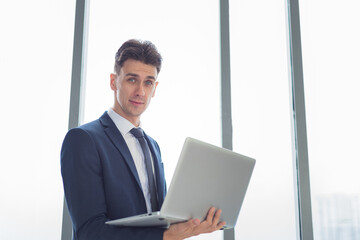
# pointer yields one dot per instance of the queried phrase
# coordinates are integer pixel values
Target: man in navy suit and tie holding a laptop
(107, 171)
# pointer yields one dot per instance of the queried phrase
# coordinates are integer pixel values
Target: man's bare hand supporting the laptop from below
(194, 227)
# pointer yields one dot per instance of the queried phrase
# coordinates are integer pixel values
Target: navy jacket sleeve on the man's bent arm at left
(84, 193)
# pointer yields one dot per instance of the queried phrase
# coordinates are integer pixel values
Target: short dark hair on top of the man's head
(143, 51)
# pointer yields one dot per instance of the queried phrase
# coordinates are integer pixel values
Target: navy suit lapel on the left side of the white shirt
(117, 139)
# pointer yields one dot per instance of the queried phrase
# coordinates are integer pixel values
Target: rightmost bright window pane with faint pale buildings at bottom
(331, 78)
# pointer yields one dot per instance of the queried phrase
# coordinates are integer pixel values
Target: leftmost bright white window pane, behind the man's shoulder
(35, 72)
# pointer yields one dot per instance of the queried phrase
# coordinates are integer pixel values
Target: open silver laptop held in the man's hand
(205, 176)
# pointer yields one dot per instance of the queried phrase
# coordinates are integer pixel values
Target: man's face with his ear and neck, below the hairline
(133, 88)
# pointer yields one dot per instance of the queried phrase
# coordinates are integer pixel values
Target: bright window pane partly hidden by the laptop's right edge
(261, 118)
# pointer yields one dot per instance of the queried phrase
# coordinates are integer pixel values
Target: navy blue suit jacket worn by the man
(101, 182)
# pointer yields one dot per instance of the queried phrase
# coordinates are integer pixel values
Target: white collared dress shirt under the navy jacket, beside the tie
(133, 144)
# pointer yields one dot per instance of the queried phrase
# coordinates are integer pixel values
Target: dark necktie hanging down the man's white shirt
(139, 134)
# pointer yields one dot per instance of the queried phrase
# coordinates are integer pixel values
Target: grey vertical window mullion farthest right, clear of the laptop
(300, 150)
